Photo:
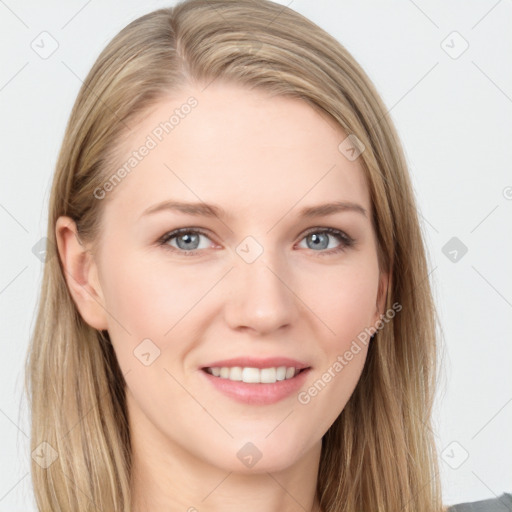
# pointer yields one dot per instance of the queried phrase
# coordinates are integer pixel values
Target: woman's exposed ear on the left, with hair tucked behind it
(81, 274)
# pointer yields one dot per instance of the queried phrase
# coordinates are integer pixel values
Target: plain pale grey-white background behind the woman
(453, 114)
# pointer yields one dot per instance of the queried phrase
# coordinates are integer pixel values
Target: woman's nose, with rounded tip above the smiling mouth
(260, 297)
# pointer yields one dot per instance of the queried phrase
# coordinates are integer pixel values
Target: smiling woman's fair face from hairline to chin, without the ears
(260, 280)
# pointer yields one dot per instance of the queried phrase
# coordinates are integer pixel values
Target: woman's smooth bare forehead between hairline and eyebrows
(239, 148)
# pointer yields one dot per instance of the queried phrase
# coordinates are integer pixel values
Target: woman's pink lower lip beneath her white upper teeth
(256, 393)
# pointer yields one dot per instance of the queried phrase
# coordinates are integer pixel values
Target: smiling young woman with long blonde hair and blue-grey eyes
(258, 369)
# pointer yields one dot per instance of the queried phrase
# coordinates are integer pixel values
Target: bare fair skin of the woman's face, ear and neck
(262, 159)
